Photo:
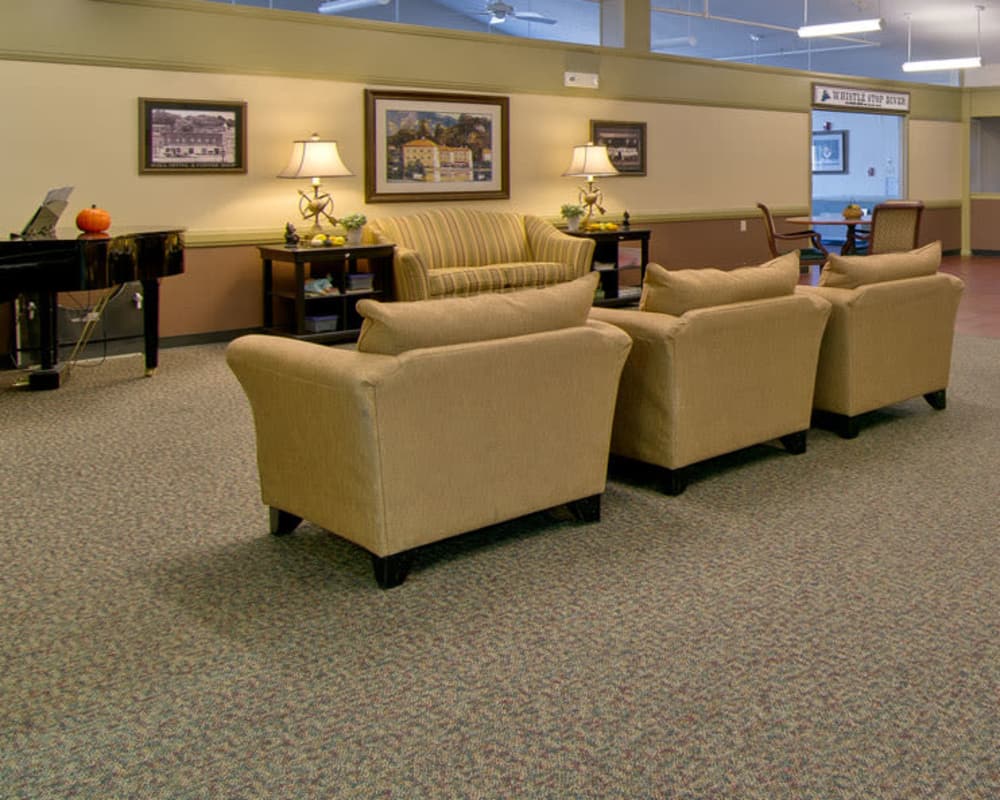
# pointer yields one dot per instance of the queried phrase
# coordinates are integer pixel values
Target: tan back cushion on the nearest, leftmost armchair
(393, 328)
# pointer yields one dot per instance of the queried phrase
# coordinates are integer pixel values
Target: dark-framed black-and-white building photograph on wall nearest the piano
(192, 136)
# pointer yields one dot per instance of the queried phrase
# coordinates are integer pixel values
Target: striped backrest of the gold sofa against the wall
(459, 237)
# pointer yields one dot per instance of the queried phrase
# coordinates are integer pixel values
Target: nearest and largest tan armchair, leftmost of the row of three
(449, 416)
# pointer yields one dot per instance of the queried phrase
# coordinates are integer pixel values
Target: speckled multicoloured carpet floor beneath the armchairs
(822, 626)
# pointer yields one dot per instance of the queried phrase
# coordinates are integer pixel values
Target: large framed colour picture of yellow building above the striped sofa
(428, 146)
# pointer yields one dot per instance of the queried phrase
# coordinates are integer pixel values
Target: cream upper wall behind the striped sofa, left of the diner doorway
(701, 159)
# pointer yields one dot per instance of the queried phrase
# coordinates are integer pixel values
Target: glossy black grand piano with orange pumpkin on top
(67, 261)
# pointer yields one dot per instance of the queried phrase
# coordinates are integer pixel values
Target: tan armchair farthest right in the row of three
(889, 337)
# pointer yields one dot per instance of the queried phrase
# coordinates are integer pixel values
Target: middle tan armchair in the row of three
(720, 361)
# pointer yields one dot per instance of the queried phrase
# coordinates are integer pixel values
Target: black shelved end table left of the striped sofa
(310, 262)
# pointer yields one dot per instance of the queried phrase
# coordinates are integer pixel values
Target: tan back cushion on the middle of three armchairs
(676, 291)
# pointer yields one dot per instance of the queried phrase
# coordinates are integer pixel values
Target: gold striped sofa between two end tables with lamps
(455, 251)
